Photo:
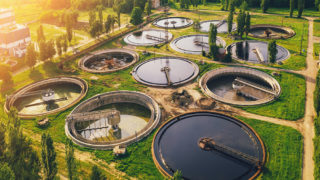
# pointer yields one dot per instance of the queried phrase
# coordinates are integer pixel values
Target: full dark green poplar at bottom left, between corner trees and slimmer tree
(48, 155)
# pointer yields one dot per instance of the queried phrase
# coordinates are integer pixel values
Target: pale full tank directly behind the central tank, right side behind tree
(194, 44)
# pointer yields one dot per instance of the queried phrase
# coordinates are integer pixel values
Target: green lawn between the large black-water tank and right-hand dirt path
(284, 147)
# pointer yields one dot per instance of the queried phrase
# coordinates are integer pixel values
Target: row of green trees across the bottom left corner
(18, 159)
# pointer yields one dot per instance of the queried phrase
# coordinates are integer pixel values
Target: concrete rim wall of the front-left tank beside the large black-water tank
(109, 98)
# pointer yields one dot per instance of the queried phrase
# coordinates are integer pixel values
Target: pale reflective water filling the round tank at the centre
(180, 70)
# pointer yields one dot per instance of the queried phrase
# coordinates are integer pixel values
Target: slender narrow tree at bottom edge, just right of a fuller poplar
(71, 162)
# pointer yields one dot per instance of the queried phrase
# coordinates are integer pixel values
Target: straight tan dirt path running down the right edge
(308, 124)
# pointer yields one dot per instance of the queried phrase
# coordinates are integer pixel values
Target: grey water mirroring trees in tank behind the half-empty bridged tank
(245, 51)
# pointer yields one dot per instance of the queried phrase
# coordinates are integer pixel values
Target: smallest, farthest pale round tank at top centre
(173, 22)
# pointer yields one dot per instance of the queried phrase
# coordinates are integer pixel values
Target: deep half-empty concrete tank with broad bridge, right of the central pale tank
(240, 86)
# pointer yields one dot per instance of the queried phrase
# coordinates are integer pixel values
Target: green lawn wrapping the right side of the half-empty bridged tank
(290, 105)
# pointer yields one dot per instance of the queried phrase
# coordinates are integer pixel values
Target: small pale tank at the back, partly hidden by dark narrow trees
(222, 26)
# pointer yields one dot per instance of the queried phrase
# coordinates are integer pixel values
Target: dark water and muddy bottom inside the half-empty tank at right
(222, 87)
